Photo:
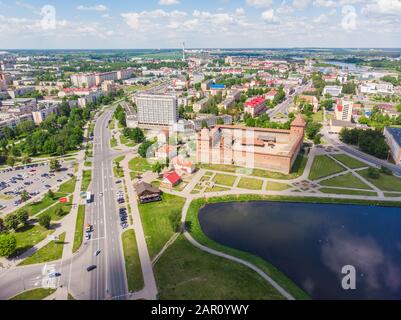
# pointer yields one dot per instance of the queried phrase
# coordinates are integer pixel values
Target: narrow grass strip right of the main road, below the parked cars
(132, 262)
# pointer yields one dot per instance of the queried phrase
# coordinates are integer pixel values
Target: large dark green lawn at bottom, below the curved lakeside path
(184, 272)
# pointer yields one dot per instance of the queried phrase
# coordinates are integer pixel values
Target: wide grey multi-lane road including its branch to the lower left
(108, 280)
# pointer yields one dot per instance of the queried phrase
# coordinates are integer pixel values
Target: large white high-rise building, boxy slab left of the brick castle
(161, 110)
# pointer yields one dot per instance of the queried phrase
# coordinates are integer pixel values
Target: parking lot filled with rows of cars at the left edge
(36, 179)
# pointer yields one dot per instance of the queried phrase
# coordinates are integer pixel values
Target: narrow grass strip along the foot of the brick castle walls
(297, 170)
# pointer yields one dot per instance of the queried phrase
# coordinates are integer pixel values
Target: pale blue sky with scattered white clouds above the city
(219, 23)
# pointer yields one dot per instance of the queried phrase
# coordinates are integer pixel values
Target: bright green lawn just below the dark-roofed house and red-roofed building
(156, 223)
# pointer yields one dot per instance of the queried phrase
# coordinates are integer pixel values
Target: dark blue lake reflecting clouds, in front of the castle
(310, 243)
